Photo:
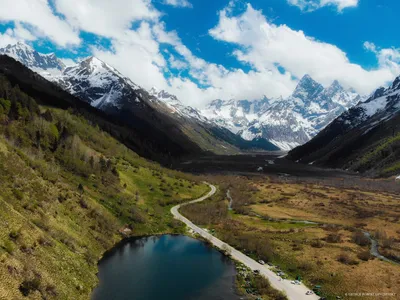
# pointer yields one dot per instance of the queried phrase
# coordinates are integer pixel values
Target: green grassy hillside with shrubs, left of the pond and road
(52, 232)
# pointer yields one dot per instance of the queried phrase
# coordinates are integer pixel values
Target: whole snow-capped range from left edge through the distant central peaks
(271, 124)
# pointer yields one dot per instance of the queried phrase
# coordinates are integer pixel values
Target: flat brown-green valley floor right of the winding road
(314, 230)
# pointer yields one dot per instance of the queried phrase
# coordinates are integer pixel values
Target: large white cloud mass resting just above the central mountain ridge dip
(139, 56)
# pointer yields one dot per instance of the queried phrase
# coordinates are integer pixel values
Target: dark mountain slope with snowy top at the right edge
(364, 138)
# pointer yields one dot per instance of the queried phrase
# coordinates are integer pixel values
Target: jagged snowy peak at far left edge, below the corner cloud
(46, 65)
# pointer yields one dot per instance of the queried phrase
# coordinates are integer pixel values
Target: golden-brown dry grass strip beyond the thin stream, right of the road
(329, 205)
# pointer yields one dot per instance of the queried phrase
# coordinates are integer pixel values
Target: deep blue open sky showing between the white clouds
(348, 29)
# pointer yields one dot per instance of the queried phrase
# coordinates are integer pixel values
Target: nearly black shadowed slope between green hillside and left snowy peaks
(134, 133)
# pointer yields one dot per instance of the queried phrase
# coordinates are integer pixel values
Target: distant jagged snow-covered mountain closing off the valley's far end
(287, 122)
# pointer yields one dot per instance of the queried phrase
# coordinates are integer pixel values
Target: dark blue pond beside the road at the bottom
(165, 267)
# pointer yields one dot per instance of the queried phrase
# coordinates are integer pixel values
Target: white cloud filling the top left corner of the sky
(38, 14)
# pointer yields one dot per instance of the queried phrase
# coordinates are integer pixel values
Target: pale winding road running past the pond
(295, 292)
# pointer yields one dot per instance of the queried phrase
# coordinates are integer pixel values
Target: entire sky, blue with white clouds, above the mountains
(206, 49)
